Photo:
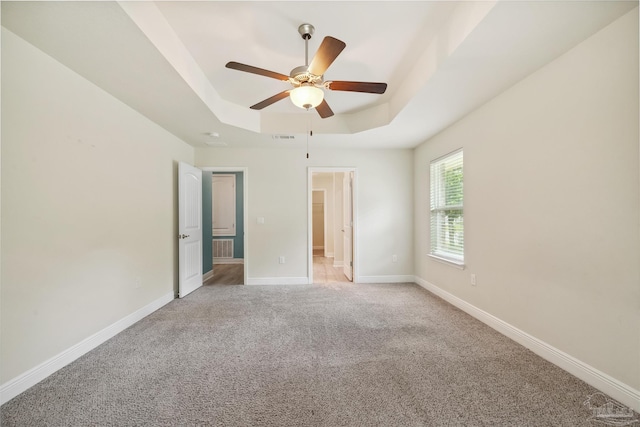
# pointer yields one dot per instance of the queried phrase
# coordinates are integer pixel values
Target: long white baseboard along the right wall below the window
(624, 393)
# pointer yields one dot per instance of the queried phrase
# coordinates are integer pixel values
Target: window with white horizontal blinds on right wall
(447, 228)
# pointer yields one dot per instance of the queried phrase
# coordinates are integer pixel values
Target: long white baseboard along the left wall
(21, 383)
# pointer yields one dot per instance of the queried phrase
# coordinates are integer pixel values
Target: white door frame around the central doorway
(354, 214)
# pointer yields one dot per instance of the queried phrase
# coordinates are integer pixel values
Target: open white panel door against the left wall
(189, 228)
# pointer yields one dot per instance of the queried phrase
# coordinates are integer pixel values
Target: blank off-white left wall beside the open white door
(88, 209)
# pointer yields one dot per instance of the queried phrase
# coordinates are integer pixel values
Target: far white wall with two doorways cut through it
(277, 180)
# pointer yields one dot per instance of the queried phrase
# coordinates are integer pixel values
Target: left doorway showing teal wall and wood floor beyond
(225, 249)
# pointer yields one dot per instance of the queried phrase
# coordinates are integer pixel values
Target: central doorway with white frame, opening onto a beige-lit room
(332, 216)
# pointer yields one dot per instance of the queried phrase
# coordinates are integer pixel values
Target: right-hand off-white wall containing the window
(552, 204)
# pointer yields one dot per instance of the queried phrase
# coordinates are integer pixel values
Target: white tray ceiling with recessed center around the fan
(441, 60)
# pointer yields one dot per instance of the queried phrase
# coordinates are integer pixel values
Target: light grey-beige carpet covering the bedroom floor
(333, 355)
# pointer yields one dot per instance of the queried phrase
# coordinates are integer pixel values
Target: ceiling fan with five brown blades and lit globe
(307, 80)
